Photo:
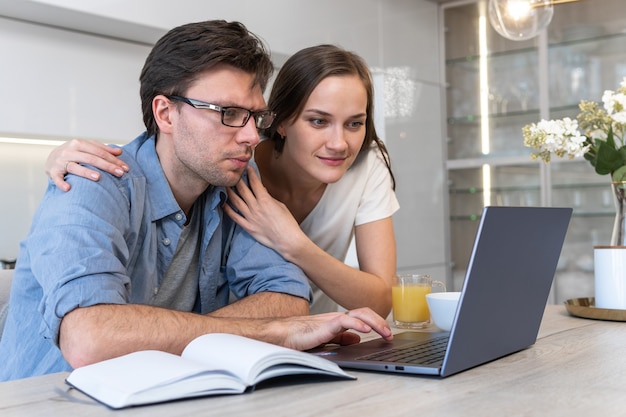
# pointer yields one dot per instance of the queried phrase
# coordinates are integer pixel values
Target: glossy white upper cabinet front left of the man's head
(59, 83)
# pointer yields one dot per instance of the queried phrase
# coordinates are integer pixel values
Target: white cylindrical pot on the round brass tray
(610, 276)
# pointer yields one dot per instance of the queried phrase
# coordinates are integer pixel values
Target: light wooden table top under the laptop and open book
(577, 367)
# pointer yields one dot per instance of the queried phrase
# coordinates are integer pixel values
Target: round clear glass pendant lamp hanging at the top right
(519, 20)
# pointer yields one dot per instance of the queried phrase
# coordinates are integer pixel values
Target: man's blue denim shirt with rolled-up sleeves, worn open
(111, 242)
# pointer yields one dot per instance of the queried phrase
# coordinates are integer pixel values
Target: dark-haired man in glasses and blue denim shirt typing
(148, 261)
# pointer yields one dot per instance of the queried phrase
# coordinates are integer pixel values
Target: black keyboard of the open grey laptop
(426, 353)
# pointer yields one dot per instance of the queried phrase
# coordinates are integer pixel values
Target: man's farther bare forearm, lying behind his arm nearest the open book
(265, 305)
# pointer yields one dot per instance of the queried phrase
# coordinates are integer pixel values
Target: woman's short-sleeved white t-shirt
(364, 194)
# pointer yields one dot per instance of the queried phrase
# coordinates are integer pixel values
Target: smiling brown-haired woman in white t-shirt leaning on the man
(326, 179)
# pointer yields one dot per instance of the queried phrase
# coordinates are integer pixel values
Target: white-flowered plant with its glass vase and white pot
(597, 134)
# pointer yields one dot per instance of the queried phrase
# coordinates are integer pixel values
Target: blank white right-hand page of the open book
(253, 361)
